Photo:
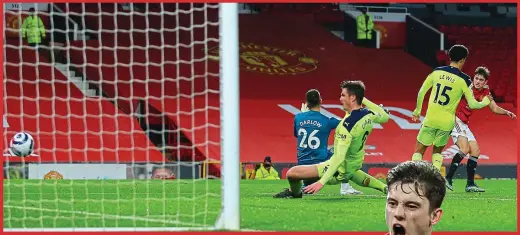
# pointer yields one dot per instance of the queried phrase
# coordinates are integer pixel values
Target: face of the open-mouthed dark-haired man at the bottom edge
(409, 213)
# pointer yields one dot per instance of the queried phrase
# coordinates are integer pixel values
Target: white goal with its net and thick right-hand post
(128, 105)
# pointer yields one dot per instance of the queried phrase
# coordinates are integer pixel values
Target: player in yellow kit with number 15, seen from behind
(449, 84)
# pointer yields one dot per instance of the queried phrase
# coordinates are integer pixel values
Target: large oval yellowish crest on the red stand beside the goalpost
(271, 60)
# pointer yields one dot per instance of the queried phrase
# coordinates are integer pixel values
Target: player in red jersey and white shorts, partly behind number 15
(462, 135)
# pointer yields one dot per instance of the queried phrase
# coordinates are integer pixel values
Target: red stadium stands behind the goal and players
(150, 112)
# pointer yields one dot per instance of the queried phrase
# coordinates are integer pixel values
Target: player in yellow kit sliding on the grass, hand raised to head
(349, 147)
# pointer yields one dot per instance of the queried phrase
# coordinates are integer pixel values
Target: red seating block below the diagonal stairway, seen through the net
(59, 98)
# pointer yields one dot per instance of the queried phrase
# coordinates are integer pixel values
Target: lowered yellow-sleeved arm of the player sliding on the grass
(343, 139)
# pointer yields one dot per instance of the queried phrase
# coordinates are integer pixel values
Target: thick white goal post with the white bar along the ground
(229, 217)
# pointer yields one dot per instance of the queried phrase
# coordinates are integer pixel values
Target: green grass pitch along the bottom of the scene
(97, 204)
